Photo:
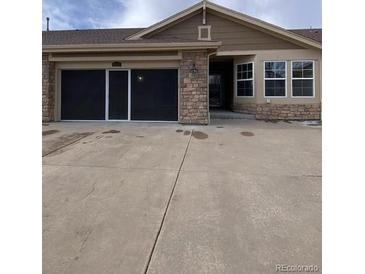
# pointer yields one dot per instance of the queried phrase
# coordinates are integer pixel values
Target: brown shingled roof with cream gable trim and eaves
(123, 38)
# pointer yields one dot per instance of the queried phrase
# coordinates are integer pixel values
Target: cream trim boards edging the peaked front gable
(278, 31)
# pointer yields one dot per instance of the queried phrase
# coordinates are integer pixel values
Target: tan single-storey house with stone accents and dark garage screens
(203, 58)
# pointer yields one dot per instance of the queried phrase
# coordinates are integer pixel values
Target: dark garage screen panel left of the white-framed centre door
(83, 95)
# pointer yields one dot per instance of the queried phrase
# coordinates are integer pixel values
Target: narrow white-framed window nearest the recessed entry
(245, 80)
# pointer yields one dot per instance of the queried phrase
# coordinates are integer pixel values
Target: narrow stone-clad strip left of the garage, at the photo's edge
(48, 89)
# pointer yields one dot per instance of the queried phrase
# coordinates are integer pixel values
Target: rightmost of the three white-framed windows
(303, 79)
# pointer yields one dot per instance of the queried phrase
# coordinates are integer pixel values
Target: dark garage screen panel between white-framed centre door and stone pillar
(154, 95)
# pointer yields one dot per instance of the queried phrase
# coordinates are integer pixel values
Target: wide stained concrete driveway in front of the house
(232, 197)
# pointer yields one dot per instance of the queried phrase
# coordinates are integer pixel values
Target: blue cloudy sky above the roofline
(90, 14)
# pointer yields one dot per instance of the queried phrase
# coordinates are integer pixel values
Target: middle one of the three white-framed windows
(275, 78)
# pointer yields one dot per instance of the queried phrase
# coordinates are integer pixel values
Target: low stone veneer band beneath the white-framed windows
(281, 111)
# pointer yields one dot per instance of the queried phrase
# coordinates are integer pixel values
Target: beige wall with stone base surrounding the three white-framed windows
(280, 108)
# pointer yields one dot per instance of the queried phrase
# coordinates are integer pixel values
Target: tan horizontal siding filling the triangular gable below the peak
(233, 35)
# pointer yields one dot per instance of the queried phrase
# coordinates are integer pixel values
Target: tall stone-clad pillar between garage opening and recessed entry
(194, 88)
